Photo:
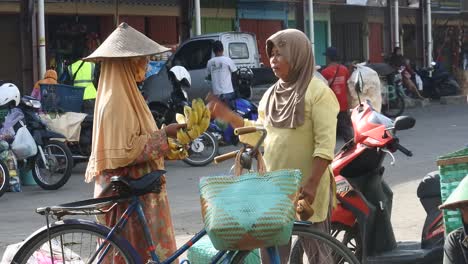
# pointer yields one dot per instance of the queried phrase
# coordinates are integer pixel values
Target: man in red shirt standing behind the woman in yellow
(337, 76)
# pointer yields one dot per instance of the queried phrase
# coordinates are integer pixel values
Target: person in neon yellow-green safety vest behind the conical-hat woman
(83, 74)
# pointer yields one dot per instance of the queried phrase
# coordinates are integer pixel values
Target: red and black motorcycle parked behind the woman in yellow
(362, 219)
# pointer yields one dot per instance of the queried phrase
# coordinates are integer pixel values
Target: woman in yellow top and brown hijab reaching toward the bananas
(299, 113)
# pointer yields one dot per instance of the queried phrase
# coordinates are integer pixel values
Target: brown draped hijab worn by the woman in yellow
(285, 107)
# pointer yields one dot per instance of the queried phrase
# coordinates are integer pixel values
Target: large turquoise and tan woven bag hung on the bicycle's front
(250, 211)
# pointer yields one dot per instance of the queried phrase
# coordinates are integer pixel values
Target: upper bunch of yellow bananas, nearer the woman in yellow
(197, 119)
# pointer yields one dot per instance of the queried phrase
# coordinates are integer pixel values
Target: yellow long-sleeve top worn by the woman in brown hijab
(287, 148)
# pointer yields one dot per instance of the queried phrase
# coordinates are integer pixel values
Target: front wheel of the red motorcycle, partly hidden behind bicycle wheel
(349, 236)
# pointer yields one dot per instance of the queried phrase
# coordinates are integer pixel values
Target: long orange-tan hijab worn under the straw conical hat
(122, 120)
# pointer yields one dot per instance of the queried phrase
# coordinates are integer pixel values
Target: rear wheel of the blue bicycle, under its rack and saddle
(73, 243)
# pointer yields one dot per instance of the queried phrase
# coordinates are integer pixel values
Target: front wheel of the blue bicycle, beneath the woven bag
(329, 250)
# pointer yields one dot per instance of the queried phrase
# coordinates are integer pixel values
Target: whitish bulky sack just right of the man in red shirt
(371, 89)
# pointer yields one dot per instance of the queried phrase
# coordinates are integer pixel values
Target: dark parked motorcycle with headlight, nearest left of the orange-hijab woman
(51, 167)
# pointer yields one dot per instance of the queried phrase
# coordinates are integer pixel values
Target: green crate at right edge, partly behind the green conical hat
(453, 168)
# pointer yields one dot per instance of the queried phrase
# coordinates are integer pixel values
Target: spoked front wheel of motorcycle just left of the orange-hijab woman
(60, 163)
